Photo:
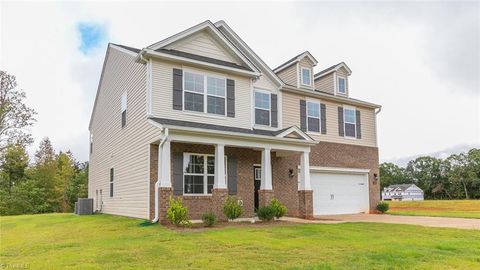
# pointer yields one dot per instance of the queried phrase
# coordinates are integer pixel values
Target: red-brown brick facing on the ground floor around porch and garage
(284, 177)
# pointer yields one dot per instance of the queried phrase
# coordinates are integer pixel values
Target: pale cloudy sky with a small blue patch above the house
(419, 60)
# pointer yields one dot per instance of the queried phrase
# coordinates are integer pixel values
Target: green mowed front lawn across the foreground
(65, 241)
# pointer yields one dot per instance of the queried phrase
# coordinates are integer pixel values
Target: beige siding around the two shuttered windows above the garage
(291, 116)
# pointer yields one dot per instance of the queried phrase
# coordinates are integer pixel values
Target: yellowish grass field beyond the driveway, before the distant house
(453, 208)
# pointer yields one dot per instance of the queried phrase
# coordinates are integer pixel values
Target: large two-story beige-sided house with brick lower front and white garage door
(200, 116)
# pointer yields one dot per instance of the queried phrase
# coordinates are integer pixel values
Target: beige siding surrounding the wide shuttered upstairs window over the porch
(162, 97)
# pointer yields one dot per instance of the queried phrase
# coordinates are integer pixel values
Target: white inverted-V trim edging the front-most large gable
(206, 25)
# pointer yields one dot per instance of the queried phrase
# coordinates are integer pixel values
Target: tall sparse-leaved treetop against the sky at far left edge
(15, 116)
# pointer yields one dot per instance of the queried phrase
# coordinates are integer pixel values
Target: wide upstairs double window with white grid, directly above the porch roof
(204, 93)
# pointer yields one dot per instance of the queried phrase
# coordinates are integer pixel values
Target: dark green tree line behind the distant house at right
(455, 177)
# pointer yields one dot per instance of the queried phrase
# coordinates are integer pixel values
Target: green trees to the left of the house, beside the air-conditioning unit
(52, 182)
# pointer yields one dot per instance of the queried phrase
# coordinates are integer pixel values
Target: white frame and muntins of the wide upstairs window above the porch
(205, 93)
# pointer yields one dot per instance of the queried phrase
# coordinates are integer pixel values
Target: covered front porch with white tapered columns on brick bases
(192, 167)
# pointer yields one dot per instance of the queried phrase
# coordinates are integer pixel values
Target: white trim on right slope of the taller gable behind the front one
(248, 51)
